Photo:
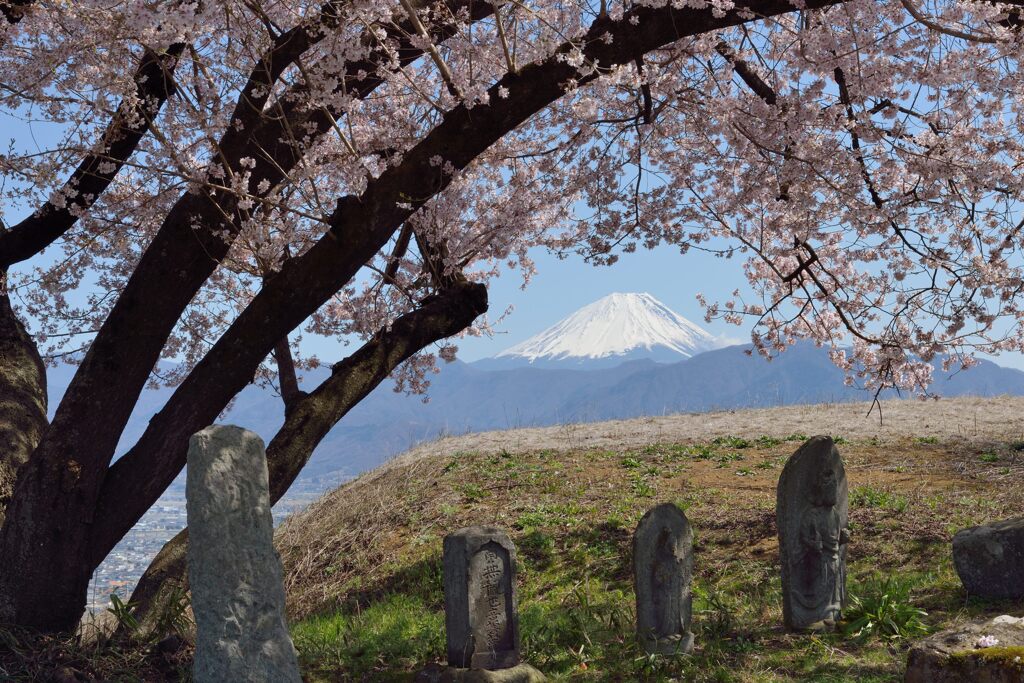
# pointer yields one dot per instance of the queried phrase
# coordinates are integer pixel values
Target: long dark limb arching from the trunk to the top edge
(360, 228)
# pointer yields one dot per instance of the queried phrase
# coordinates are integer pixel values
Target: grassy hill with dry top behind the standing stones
(363, 565)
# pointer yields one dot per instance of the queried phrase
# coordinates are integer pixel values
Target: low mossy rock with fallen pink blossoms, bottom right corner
(959, 656)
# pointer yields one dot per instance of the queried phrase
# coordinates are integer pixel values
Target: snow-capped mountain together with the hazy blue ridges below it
(545, 386)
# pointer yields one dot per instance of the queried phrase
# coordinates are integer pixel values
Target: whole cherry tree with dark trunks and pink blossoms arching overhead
(235, 174)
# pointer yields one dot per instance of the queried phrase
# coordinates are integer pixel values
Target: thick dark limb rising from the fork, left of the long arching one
(174, 269)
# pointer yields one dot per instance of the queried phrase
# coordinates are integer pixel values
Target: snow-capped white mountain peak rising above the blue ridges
(617, 328)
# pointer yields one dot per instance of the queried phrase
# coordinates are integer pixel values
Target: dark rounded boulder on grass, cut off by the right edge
(990, 560)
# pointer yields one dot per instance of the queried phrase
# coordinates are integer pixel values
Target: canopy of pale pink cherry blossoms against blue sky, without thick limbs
(862, 158)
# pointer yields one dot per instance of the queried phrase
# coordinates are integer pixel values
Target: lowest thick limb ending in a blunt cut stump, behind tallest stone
(314, 415)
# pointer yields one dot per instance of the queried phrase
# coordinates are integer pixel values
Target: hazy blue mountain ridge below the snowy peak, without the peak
(466, 399)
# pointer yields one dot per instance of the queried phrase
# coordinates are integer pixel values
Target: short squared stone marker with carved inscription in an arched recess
(481, 610)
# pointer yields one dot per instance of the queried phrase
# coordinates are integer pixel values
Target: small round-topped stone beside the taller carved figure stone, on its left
(663, 569)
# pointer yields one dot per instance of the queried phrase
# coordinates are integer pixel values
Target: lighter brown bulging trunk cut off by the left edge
(23, 397)
